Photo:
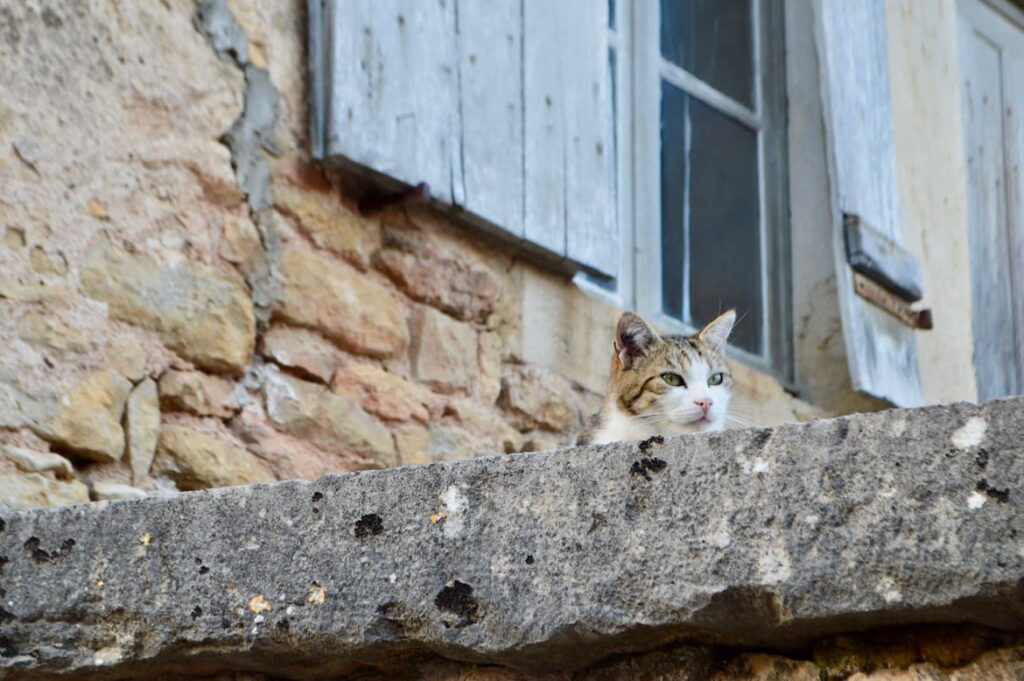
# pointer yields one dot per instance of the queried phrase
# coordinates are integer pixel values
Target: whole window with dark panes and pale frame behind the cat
(699, 112)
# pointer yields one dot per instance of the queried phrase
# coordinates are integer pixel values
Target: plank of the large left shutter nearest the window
(592, 238)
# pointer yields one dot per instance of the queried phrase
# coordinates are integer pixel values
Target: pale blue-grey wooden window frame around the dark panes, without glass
(639, 72)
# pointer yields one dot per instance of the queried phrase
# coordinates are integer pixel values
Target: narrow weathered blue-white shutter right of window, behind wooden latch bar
(855, 67)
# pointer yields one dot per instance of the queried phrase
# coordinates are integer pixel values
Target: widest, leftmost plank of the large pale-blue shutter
(398, 112)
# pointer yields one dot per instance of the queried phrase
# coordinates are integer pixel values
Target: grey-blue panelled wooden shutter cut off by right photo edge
(993, 67)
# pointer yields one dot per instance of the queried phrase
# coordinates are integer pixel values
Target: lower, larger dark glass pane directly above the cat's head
(710, 217)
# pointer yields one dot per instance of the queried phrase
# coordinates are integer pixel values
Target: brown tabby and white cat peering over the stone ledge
(664, 386)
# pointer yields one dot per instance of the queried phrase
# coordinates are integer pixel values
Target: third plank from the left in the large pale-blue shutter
(544, 119)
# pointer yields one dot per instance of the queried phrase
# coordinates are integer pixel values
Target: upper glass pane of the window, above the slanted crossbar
(713, 40)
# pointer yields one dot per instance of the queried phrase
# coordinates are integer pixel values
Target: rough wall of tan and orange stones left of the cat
(190, 303)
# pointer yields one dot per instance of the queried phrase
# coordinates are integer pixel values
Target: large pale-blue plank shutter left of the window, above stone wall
(502, 107)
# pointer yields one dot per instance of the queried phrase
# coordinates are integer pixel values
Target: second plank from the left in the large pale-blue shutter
(491, 64)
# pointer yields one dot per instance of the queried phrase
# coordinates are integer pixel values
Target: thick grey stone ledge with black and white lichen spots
(766, 538)
